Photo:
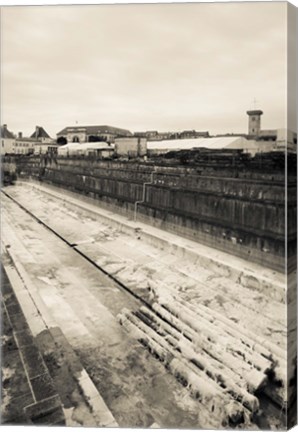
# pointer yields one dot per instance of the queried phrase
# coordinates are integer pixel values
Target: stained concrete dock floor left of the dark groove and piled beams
(85, 305)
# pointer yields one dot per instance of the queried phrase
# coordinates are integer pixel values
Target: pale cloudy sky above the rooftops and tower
(143, 67)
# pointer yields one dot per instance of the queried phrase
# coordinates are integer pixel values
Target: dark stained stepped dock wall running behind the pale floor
(241, 211)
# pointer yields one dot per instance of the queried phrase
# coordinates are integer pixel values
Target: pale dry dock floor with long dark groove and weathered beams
(155, 329)
